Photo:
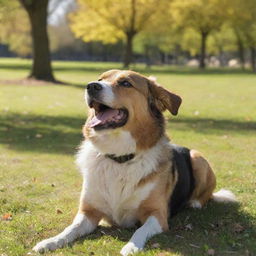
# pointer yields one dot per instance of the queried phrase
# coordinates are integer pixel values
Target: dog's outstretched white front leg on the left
(83, 224)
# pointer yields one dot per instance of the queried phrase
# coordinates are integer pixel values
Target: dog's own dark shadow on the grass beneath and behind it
(223, 228)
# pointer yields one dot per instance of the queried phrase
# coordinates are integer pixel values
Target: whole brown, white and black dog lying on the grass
(132, 173)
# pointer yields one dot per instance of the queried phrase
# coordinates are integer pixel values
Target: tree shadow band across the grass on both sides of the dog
(62, 134)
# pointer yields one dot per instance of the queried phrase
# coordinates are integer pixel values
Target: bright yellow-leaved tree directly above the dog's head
(112, 20)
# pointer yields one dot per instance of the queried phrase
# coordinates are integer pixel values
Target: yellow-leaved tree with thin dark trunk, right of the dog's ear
(203, 16)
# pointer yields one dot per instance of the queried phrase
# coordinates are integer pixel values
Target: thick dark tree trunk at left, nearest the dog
(37, 12)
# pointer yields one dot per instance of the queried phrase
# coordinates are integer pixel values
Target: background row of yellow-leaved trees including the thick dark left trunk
(150, 31)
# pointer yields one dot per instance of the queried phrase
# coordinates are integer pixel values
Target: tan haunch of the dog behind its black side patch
(205, 181)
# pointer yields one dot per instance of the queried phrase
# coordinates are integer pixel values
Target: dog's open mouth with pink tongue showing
(106, 117)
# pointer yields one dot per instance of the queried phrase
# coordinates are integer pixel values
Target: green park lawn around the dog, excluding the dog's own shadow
(40, 129)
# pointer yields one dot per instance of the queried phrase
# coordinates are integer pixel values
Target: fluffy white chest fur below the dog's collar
(112, 187)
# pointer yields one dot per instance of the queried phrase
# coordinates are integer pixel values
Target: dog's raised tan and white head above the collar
(125, 104)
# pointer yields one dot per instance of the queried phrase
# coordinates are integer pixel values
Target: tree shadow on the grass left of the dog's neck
(50, 134)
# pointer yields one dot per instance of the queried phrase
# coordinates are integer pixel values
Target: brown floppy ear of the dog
(162, 98)
